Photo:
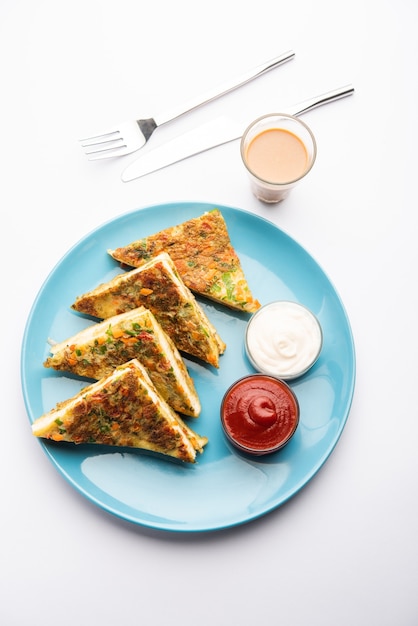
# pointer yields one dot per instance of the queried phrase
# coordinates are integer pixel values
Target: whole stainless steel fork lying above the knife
(131, 136)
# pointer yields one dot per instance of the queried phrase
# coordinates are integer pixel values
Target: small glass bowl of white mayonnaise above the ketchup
(283, 339)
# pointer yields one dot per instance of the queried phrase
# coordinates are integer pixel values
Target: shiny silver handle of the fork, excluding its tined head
(163, 118)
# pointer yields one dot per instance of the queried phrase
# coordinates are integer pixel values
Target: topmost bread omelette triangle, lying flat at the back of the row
(204, 257)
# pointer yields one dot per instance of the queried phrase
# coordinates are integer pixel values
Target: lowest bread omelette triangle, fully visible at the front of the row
(122, 409)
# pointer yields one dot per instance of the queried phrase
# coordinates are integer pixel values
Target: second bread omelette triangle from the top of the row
(157, 286)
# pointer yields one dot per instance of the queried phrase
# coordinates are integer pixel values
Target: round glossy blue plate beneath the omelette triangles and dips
(224, 488)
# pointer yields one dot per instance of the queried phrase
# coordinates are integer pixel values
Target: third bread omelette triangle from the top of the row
(95, 351)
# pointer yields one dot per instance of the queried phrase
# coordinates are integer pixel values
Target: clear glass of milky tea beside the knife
(278, 150)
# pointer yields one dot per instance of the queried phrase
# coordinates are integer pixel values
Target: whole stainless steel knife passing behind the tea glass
(212, 134)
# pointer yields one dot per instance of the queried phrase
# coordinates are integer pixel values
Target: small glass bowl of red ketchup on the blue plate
(259, 414)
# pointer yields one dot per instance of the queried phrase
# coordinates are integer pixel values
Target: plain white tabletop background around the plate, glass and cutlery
(344, 551)
